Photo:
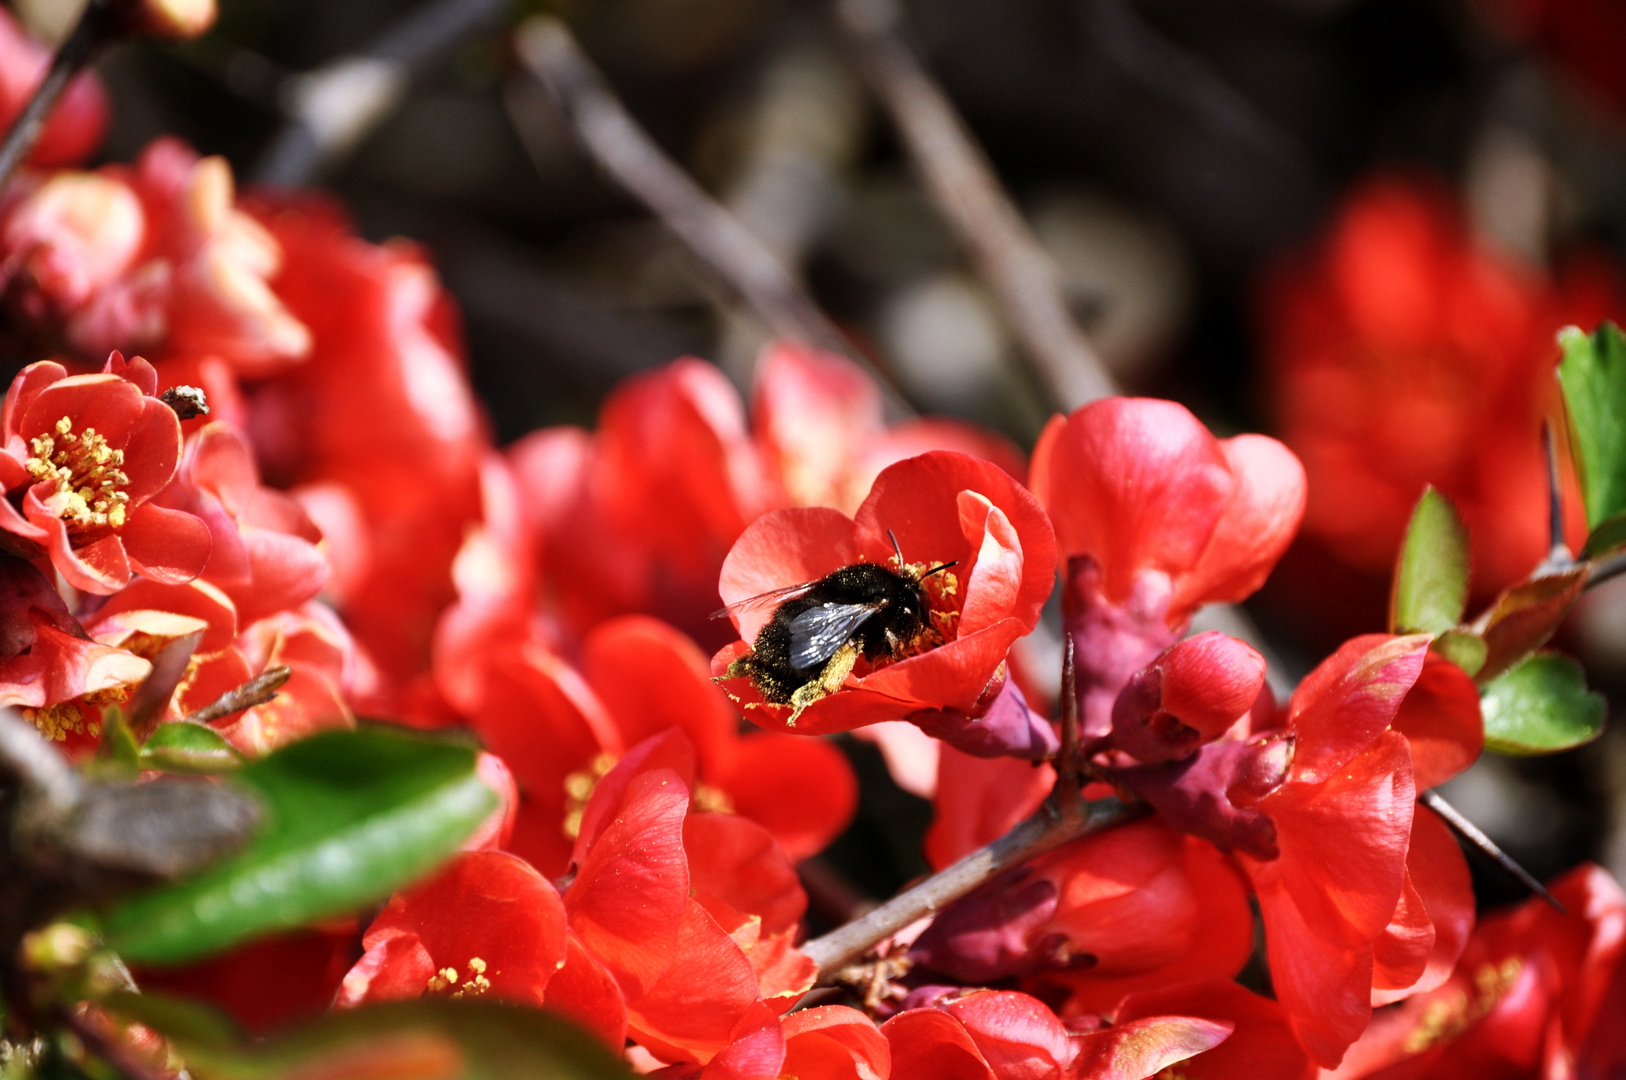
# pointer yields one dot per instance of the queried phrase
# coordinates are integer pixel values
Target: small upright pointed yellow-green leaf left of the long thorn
(1432, 581)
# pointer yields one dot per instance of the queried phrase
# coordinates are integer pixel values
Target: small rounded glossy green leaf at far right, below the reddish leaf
(1541, 707)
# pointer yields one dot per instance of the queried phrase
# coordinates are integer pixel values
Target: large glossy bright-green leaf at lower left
(349, 819)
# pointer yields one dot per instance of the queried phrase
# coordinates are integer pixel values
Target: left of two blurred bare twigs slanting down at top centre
(627, 152)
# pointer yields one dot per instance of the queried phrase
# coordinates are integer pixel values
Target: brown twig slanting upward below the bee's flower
(1050, 829)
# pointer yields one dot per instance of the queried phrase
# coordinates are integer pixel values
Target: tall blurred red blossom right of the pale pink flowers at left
(381, 414)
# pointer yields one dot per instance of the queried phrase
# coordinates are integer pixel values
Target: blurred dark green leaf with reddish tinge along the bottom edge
(430, 1039)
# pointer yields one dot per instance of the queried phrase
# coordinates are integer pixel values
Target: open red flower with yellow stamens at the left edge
(82, 459)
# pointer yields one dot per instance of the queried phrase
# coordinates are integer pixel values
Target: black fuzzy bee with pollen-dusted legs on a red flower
(822, 629)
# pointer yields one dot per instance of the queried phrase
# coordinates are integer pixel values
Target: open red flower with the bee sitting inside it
(942, 508)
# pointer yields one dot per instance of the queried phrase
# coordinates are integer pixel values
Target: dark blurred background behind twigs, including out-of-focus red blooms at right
(1350, 224)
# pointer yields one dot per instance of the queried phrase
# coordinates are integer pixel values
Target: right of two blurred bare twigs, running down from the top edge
(963, 185)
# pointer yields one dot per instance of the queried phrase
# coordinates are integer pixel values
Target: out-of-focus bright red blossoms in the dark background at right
(1404, 354)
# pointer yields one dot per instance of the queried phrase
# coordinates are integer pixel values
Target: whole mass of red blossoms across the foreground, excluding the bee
(342, 512)
